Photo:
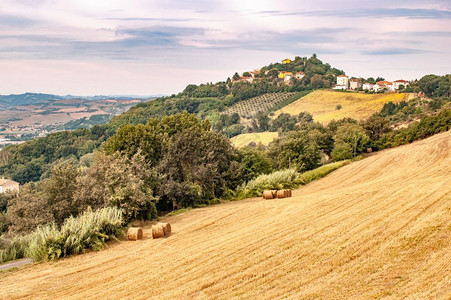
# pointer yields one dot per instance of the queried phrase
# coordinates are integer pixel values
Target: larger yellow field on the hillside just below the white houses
(322, 105)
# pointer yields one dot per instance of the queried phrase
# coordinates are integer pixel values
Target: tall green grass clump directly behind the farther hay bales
(288, 178)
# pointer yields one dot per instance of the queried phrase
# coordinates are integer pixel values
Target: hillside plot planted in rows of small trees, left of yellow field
(249, 108)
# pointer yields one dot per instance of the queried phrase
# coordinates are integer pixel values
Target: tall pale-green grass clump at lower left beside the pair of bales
(91, 230)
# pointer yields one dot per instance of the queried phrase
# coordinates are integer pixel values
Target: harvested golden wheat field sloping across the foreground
(376, 228)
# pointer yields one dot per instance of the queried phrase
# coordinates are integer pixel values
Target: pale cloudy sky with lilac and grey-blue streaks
(145, 47)
